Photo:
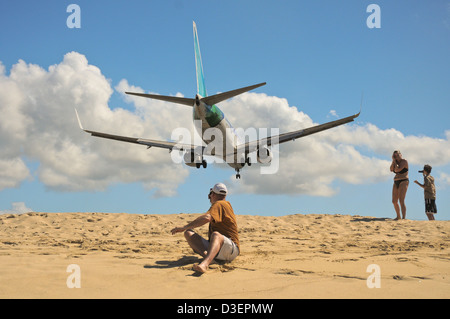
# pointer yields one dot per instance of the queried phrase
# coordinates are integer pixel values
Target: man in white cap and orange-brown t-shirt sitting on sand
(223, 238)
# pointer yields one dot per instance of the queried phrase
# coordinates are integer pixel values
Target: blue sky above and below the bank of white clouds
(318, 55)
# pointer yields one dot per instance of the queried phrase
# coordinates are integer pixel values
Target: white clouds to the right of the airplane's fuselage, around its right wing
(312, 165)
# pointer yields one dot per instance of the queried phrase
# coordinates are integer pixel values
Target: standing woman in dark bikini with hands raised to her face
(400, 168)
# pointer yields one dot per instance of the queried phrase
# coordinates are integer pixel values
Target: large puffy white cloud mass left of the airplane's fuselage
(38, 122)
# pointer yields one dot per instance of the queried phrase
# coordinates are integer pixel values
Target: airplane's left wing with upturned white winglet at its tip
(142, 141)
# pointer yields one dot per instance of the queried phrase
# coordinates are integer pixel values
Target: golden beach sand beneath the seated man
(293, 256)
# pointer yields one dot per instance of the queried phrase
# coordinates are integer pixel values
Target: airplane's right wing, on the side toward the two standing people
(253, 146)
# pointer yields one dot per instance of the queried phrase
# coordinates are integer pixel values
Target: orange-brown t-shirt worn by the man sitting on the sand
(224, 221)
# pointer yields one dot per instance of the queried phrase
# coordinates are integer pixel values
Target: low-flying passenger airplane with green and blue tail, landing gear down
(232, 150)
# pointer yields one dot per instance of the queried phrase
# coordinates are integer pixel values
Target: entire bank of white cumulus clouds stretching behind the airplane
(38, 123)
